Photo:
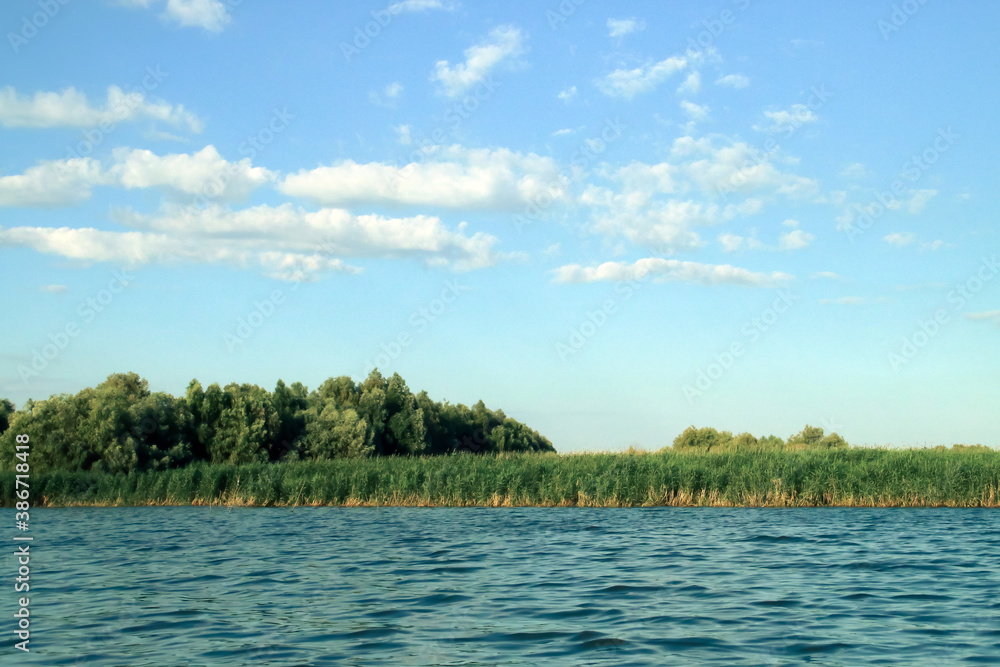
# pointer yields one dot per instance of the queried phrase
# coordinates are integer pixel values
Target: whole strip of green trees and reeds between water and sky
(375, 444)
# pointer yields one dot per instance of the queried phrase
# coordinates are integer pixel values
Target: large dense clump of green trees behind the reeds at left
(121, 426)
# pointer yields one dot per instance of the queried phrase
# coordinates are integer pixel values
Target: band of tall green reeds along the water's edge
(837, 477)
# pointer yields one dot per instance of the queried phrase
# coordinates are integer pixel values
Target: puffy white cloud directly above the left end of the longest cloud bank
(203, 173)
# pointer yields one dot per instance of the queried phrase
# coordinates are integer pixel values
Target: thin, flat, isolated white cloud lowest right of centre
(664, 270)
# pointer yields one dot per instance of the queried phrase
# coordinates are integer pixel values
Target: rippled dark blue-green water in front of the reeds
(530, 586)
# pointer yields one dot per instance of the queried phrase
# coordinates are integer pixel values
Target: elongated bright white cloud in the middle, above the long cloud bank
(456, 178)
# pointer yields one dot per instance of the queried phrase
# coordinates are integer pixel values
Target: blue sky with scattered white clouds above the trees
(610, 220)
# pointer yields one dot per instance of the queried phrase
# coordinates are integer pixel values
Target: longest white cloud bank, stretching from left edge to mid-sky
(283, 241)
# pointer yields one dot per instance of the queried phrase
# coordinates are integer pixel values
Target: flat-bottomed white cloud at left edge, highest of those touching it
(69, 108)
